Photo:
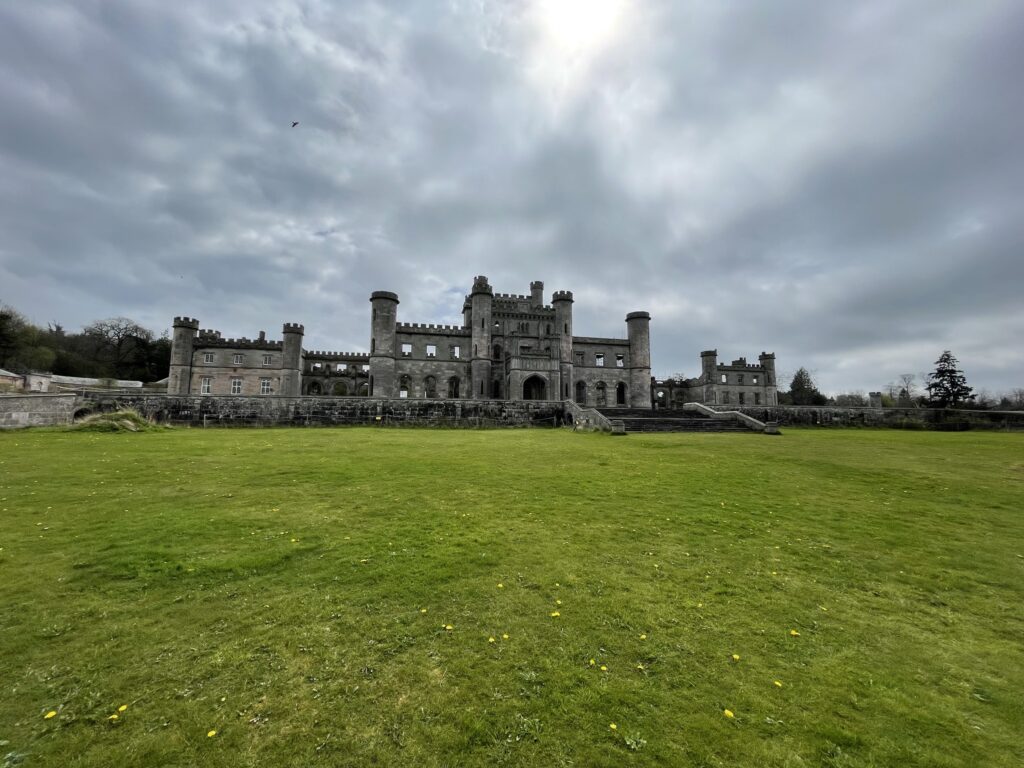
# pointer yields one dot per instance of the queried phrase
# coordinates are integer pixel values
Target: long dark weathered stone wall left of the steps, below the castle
(272, 411)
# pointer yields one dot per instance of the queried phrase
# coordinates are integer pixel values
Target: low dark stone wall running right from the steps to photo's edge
(899, 418)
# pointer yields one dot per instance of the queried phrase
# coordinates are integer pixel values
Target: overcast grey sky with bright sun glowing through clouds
(842, 184)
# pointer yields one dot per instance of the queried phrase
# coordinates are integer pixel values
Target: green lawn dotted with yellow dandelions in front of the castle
(290, 589)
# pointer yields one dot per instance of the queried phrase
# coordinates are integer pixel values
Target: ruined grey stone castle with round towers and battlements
(509, 348)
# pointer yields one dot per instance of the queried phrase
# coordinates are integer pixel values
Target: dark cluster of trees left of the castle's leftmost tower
(113, 349)
